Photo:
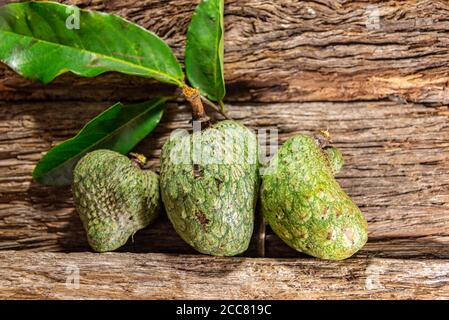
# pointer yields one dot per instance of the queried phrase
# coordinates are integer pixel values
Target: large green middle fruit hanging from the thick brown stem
(210, 201)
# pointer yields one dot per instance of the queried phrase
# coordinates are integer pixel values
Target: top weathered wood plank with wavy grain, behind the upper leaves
(288, 51)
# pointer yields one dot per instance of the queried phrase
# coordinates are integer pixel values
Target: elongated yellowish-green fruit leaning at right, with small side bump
(305, 205)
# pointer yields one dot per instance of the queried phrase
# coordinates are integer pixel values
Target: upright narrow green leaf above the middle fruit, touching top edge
(205, 50)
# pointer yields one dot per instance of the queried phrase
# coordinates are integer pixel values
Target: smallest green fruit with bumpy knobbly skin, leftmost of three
(114, 198)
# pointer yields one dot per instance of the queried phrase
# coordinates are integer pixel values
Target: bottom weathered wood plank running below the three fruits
(162, 276)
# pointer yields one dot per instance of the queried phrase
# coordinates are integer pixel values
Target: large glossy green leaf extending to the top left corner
(41, 40)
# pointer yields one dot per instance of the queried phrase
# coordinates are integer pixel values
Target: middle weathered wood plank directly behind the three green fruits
(397, 171)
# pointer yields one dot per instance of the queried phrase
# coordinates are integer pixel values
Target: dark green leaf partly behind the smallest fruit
(118, 128)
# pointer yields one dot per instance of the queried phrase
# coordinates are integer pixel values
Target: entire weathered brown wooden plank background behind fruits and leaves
(378, 84)
